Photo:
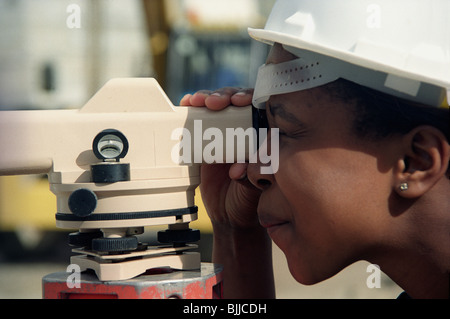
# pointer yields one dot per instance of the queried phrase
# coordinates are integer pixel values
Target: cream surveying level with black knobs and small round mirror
(119, 164)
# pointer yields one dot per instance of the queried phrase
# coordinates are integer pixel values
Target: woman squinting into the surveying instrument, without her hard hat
(363, 175)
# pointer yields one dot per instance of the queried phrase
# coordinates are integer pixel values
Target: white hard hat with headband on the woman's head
(399, 47)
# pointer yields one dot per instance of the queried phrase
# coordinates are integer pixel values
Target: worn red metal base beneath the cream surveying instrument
(203, 284)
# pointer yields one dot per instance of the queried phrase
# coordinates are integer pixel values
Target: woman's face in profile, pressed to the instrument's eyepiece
(328, 202)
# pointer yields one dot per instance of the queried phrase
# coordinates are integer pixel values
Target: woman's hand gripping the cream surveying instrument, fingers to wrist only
(229, 198)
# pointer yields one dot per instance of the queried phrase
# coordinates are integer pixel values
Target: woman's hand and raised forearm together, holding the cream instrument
(240, 244)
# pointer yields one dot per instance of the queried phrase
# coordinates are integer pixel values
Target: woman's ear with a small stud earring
(426, 155)
